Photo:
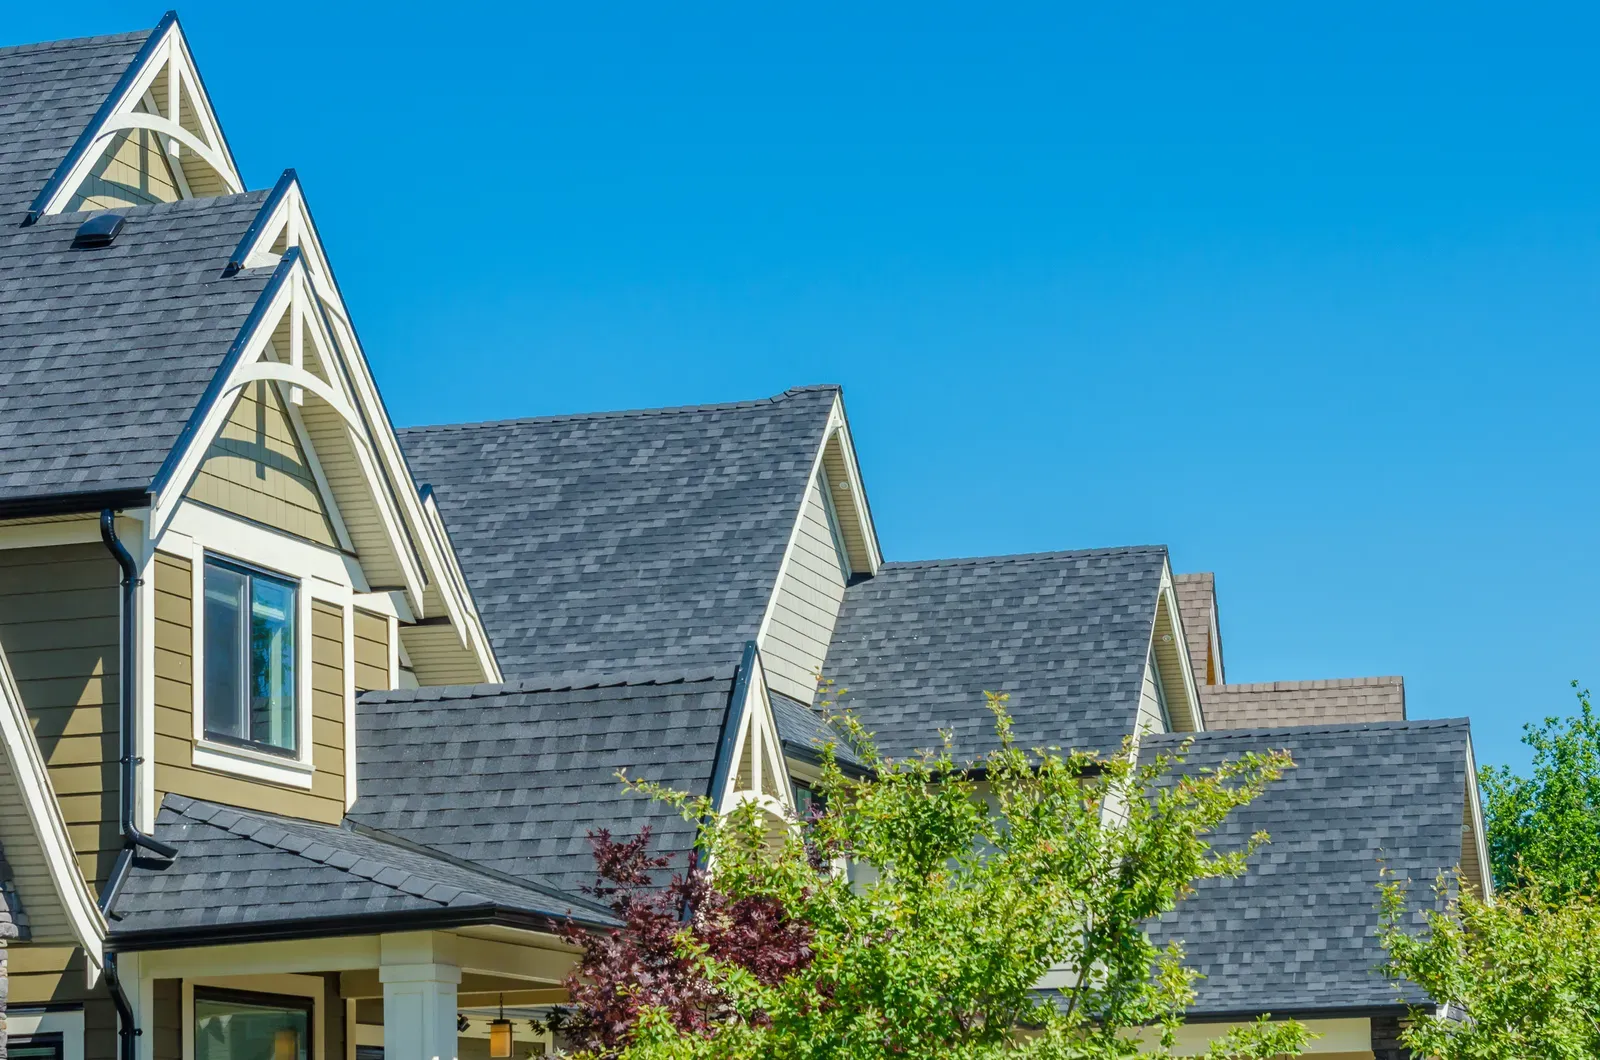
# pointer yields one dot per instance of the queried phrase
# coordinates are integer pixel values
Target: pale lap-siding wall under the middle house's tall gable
(807, 604)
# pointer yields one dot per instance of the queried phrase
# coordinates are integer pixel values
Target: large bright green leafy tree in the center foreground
(966, 888)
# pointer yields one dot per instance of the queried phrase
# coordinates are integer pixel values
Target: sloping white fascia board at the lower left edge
(26, 765)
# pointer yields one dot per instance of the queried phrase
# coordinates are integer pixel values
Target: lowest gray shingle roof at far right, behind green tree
(1298, 931)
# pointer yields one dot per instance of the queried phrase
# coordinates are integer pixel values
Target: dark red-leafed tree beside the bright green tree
(644, 965)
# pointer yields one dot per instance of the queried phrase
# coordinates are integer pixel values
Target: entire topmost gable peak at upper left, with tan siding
(154, 140)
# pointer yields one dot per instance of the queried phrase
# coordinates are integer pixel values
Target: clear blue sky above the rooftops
(1310, 297)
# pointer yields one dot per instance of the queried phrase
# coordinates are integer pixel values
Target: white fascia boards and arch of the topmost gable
(167, 52)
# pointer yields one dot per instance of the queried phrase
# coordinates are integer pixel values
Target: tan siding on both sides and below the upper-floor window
(175, 771)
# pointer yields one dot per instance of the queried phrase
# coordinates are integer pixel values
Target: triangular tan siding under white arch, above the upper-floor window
(257, 468)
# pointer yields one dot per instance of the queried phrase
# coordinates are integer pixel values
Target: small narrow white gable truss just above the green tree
(750, 757)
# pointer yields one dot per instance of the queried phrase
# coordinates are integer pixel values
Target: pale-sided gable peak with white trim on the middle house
(831, 544)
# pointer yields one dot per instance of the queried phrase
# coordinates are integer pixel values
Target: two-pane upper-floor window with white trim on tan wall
(249, 651)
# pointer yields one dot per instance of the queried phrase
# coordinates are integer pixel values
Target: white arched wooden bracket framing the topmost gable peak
(159, 92)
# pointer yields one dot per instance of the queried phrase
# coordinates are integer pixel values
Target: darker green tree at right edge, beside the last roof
(1550, 824)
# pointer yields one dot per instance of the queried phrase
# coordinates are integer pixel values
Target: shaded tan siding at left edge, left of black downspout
(60, 628)
